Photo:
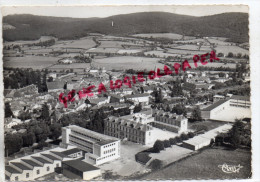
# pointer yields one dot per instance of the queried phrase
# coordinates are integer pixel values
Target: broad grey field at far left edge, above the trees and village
(35, 62)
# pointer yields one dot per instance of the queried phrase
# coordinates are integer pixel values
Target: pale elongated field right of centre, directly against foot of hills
(164, 35)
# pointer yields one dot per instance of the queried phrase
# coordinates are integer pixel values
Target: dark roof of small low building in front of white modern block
(80, 165)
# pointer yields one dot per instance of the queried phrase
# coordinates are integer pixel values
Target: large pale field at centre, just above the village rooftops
(128, 62)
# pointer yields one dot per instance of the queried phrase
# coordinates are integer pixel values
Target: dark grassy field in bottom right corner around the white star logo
(204, 165)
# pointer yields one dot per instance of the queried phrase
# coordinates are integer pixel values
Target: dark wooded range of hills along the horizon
(30, 27)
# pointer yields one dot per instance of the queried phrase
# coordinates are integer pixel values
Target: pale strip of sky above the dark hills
(105, 11)
